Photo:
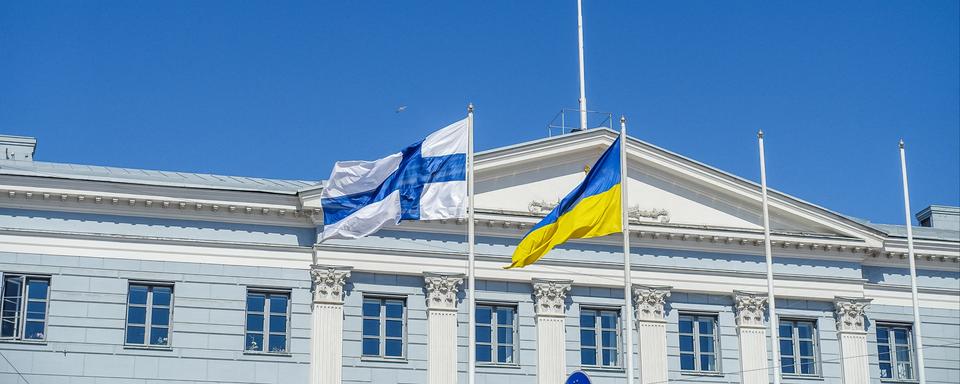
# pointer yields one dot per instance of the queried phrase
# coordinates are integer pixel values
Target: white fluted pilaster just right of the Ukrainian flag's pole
(652, 331)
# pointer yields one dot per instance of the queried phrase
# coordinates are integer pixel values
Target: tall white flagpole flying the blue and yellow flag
(625, 222)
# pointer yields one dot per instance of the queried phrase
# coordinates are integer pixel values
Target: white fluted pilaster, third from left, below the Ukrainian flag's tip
(550, 299)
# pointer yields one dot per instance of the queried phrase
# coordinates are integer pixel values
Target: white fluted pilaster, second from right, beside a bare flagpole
(750, 308)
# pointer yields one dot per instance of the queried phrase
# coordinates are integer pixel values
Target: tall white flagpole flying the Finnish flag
(471, 297)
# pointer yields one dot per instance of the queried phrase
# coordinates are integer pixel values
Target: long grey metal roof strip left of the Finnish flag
(149, 177)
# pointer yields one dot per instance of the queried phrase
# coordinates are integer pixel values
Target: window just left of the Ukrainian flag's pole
(599, 337)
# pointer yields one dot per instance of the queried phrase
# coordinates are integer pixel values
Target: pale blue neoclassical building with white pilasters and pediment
(114, 275)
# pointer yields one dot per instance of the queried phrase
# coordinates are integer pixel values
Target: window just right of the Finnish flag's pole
(495, 334)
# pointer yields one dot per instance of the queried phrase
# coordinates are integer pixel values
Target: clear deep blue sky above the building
(284, 89)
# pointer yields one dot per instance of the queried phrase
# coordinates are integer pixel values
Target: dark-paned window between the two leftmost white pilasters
(383, 321)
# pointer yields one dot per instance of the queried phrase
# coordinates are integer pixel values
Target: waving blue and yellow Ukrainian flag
(593, 209)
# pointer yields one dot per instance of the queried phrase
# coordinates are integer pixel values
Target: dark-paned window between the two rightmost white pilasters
(798, 347)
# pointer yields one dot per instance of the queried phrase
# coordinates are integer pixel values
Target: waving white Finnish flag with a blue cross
(425, 181)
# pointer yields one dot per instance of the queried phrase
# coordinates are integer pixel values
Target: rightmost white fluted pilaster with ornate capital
(851, 332)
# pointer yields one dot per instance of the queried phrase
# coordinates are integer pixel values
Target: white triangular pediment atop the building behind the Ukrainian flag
(664, 187)
